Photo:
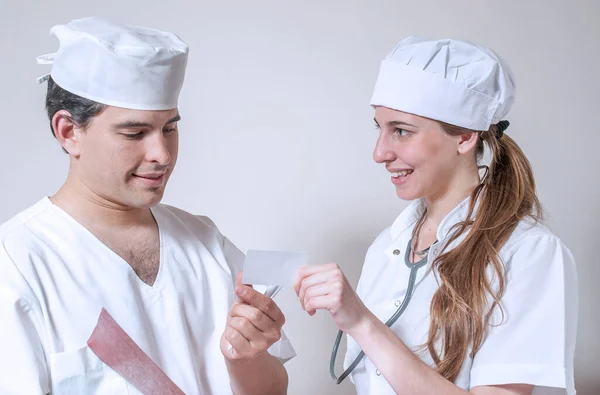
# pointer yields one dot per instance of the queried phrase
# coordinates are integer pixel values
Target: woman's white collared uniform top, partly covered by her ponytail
(534, 344)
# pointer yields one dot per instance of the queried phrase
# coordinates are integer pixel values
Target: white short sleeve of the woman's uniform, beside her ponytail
(534, 342)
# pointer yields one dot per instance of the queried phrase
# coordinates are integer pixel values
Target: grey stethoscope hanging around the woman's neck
(414, 267)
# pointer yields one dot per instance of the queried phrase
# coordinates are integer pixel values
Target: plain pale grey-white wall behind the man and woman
(277, 132)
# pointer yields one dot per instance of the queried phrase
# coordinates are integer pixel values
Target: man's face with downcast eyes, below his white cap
(126, 157)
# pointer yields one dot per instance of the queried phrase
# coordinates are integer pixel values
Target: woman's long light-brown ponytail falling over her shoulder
(460, 309)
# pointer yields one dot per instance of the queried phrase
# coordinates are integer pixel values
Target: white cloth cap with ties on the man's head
(119, 65)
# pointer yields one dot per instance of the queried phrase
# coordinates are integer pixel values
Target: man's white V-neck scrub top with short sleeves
(55, 277)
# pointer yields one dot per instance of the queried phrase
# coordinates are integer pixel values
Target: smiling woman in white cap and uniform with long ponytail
(480, 296)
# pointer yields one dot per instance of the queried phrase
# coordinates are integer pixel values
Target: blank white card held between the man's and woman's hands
(272, 267)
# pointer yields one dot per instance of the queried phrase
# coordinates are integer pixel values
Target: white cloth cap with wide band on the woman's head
(452, 81)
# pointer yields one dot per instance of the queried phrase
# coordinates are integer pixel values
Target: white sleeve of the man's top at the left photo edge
(22, 361)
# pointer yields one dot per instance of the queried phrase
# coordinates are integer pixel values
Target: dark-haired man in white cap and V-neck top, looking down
(103, 246)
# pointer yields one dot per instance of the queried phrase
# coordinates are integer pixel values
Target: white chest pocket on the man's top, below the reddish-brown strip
(82, 372)
